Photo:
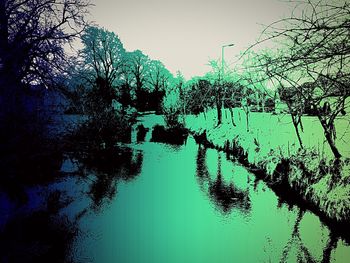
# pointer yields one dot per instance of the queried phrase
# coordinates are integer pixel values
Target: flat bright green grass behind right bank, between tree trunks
(274, 132)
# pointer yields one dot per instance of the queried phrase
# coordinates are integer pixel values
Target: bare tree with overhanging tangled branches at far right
(314, 60)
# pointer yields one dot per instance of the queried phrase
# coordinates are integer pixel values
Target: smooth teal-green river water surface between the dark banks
(189, 204)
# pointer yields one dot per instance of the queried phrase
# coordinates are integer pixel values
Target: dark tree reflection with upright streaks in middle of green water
(225, 196)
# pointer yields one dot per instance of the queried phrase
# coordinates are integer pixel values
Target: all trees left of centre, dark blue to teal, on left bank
(103, 80)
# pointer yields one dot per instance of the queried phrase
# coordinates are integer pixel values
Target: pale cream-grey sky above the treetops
(186, 34)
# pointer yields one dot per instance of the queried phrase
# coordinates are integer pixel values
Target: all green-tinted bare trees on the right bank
(308, 70)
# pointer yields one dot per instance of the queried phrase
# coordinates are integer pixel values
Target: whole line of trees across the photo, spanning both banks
(310, 70)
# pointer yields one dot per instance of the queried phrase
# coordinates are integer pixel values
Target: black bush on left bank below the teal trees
(108, 120)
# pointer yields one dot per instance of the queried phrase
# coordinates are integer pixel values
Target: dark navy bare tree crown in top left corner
(32, 38)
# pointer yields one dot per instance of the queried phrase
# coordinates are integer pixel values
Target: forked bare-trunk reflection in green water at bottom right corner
(304, 254)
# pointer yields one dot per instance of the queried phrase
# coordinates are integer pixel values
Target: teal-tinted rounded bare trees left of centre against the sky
(129, 78)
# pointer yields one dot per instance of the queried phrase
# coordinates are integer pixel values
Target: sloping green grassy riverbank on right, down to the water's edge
(270, 148)
